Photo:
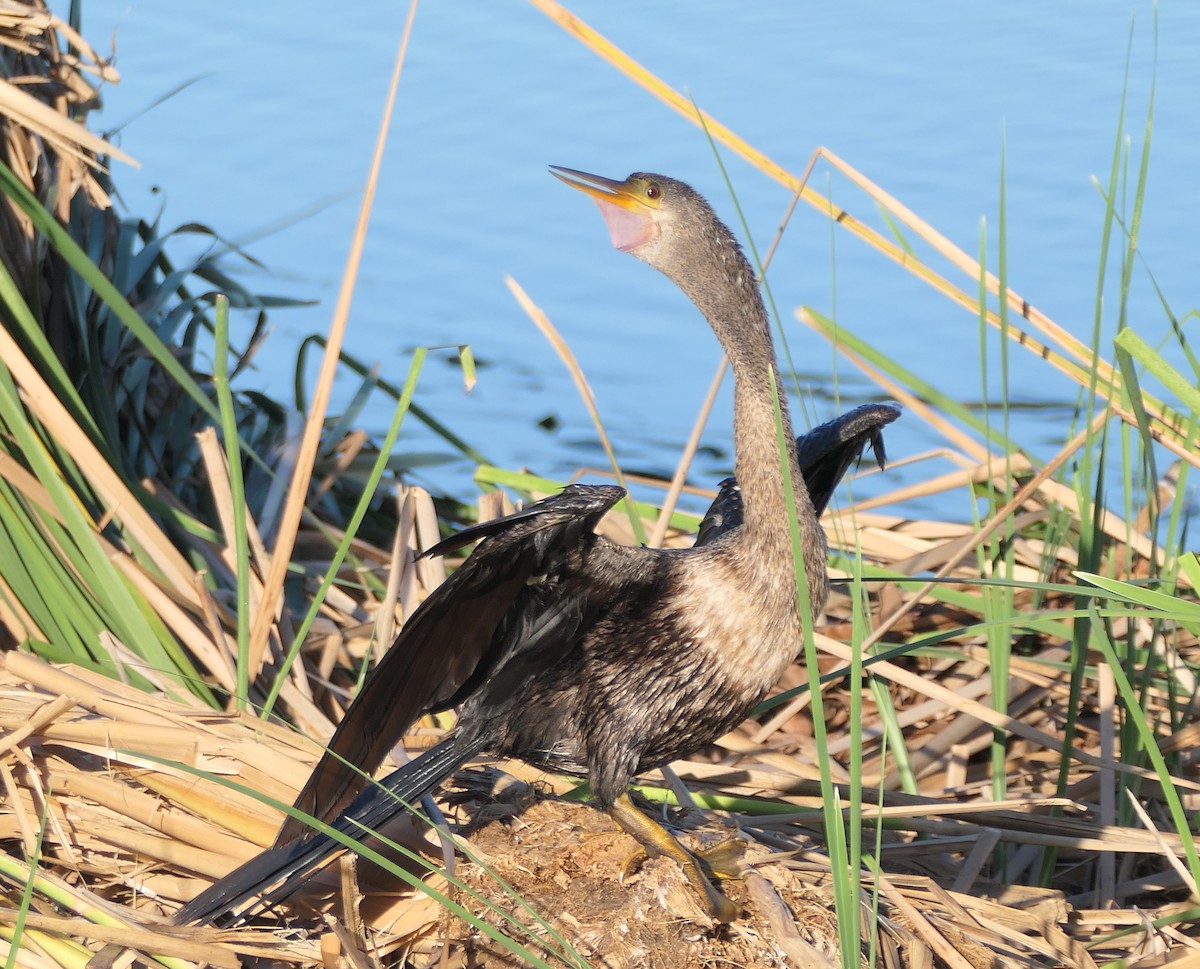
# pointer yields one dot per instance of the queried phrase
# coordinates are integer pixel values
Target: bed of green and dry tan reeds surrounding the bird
(1007, 772)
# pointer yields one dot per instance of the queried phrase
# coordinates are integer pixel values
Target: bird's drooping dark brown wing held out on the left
(448, 646)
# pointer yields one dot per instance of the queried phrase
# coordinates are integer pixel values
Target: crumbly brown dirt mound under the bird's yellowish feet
(584, 877)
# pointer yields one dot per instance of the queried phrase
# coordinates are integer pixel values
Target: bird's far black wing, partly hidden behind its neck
(824, 456)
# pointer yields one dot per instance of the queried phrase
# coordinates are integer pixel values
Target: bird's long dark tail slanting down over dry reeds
(278, 872)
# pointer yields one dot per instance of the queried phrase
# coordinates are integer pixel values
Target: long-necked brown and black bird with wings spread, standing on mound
(578, 654)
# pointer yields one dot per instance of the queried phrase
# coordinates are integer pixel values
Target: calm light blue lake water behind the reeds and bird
(269, 145)
